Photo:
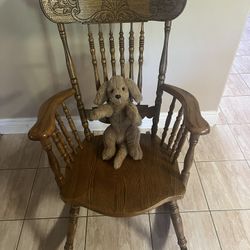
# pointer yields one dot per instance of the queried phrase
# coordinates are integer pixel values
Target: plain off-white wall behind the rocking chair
(203, 43)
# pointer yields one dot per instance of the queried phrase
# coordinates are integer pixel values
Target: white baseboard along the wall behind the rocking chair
(22, 125)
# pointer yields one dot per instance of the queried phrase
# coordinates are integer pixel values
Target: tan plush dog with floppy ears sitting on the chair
(124, 118)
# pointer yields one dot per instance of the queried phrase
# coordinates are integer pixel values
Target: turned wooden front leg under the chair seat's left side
(74, 212)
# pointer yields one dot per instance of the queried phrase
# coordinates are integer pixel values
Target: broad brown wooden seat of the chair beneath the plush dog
(136, 187)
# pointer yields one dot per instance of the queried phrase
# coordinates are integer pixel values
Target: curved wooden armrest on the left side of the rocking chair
(45, 125)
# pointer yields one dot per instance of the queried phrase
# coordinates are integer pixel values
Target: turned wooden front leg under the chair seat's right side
(178, 226)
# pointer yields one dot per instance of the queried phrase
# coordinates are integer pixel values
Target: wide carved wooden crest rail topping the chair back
(114, 11)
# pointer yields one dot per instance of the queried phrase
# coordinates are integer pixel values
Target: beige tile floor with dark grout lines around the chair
(215, 210)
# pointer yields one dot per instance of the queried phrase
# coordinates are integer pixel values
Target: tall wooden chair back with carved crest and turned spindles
(107, 13)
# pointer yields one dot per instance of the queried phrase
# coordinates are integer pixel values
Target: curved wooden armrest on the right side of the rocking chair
(194, 122)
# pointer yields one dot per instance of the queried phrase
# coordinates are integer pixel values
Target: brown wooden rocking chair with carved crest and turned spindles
(88, 181)
